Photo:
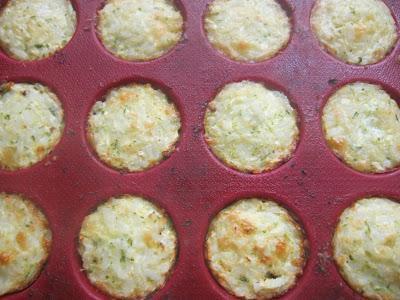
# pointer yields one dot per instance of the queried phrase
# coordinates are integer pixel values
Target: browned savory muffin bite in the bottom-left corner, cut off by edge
(25, 239)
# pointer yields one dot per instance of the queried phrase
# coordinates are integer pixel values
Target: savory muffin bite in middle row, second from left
(135, 128)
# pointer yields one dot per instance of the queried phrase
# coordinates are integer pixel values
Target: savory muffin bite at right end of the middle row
(362, 126)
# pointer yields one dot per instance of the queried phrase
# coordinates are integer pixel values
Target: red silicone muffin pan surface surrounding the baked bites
(192, 185)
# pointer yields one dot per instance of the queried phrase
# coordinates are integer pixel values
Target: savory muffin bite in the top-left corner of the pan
(36, 29)
